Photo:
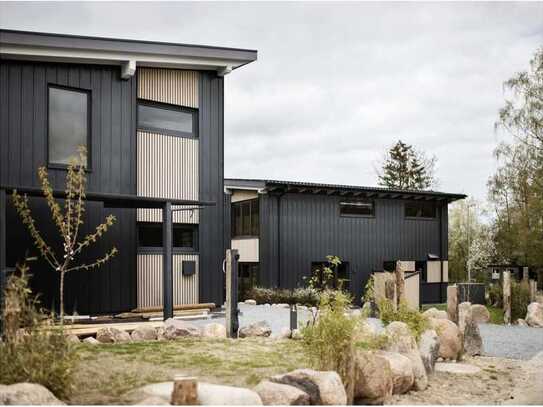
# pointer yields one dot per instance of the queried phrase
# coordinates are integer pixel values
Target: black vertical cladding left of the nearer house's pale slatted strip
(23, 148)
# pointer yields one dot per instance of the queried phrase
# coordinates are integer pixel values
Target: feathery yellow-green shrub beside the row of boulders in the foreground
(329, 341)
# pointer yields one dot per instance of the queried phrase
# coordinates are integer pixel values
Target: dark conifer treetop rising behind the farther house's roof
(406, 168)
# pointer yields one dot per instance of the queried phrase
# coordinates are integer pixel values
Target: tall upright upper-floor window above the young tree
(69, 123)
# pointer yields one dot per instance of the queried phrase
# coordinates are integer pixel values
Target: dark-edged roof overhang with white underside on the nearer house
(128, 54)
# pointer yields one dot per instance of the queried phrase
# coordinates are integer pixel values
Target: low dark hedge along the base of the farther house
(302, 296)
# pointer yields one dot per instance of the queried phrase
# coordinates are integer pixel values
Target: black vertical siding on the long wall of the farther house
(310, 228)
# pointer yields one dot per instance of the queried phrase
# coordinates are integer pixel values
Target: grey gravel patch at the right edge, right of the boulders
(514, 342)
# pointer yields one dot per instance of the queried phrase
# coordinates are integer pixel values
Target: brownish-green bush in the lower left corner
(33, 350)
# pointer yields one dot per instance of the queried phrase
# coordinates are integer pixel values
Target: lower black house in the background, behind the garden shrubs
(283, 230)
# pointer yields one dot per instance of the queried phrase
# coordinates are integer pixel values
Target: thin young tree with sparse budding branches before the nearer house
(68, 221)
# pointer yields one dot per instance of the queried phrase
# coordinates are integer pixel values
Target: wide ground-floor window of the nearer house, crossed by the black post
(184, 236)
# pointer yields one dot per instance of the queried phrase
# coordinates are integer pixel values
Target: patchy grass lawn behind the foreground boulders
(105, 373)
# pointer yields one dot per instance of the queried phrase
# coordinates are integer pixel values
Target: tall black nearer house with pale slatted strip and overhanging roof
(151, 117)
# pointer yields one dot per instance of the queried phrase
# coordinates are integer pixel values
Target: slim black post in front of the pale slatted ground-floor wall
(167, 259)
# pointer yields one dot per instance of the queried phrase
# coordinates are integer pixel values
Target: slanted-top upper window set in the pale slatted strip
(167, 119)
